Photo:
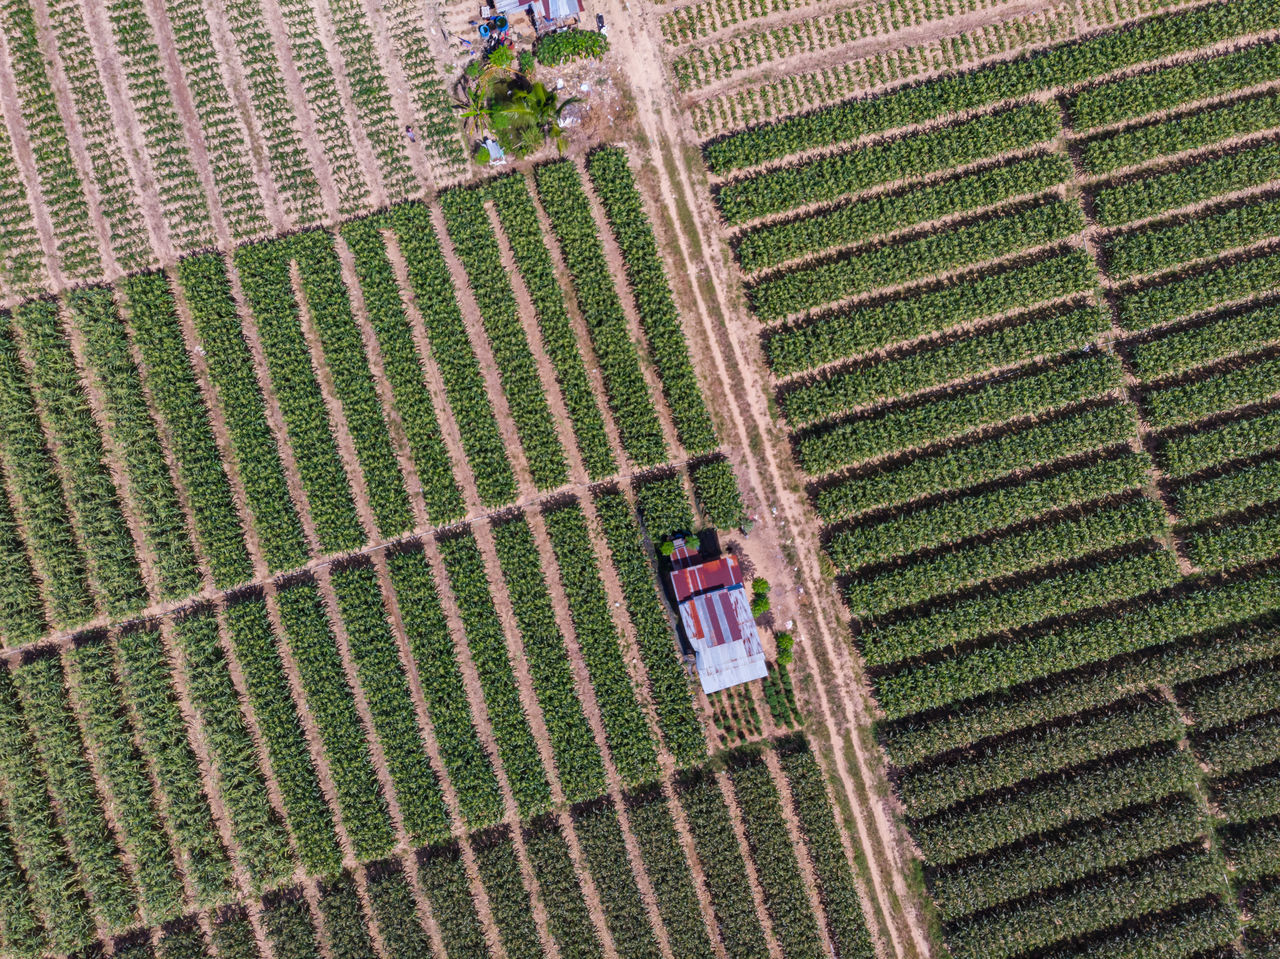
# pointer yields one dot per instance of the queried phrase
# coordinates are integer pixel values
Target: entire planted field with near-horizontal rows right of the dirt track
(1021, 328)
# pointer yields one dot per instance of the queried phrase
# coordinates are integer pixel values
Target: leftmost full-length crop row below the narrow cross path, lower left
(100, 865)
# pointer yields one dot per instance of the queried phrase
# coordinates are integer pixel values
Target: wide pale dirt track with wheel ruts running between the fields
(749, 421)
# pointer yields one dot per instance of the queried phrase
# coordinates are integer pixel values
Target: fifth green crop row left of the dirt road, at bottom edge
(600, 835)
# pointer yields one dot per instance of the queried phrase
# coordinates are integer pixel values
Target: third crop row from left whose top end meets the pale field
(154, 321)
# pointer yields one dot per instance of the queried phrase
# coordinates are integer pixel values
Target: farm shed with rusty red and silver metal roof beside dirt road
(716, 614)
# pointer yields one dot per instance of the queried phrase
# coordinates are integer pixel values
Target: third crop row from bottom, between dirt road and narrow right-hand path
(1066, 856)
